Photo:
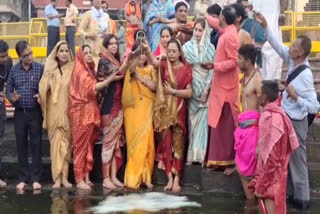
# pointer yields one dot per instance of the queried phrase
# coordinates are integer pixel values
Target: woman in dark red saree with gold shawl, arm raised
(173, 88)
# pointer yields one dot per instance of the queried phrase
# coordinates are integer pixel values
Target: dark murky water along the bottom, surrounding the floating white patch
(64, 202)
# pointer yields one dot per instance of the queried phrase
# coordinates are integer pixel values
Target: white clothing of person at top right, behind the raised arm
(271, 61)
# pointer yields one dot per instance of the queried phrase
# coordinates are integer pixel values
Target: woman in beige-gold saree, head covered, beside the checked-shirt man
(54, 100)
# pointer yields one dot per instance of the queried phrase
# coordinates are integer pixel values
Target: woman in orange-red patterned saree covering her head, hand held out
(84, 114)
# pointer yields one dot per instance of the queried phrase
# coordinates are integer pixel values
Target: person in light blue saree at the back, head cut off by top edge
(160, 13)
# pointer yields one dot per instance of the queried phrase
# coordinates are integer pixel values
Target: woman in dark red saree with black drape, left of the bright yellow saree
(111, 111)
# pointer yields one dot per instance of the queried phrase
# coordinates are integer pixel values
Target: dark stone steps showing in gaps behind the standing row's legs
(194, 176)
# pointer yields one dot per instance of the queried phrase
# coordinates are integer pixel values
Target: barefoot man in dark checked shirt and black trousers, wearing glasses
(22, 92)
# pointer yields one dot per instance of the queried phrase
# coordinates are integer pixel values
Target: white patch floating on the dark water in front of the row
(151, 202)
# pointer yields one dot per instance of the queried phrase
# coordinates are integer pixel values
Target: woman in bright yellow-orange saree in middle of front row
(137, 102)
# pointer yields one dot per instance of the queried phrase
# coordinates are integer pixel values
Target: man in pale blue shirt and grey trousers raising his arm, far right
(298, 100)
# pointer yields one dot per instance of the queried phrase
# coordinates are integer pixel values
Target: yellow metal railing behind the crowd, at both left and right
(35, 32)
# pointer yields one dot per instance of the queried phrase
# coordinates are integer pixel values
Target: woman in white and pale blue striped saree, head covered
(199, 53)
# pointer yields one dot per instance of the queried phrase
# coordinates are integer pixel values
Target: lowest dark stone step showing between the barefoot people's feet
(193, 176)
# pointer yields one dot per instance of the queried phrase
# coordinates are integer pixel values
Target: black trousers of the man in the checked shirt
(28, 123)
